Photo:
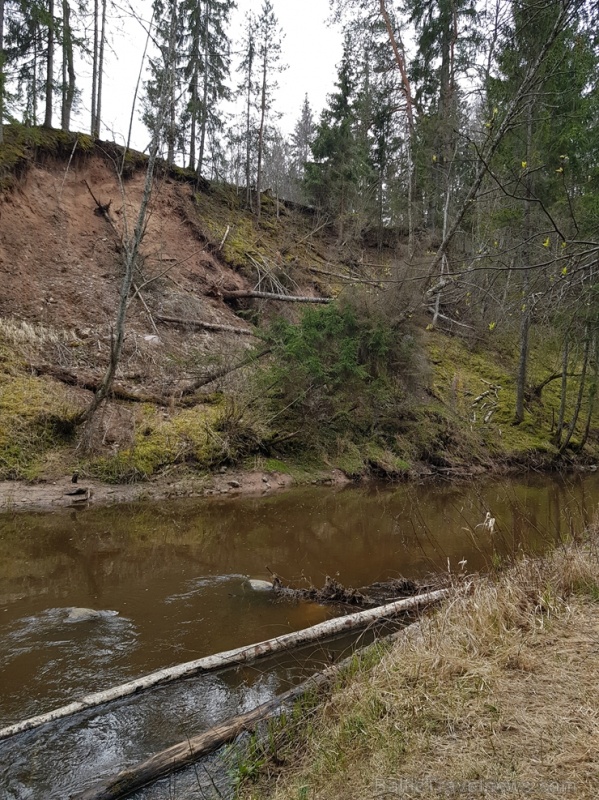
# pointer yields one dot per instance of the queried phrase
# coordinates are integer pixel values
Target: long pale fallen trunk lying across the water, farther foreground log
(240, 655)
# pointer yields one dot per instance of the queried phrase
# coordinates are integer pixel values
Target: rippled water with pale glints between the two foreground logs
(71, 755)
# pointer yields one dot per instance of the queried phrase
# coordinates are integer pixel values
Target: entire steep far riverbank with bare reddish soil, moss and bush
(211, 374)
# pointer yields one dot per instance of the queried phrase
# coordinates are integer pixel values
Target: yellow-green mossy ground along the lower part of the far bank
(443, 427)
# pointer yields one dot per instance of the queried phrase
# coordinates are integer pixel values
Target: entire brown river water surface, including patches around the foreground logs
(176, 572)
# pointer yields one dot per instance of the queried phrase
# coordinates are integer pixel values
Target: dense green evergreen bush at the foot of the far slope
(339, 369)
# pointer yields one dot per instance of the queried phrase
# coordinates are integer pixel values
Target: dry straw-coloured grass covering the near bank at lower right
(494, 695)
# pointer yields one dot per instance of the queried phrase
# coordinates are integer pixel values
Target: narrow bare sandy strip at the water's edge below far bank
(21, 496)
